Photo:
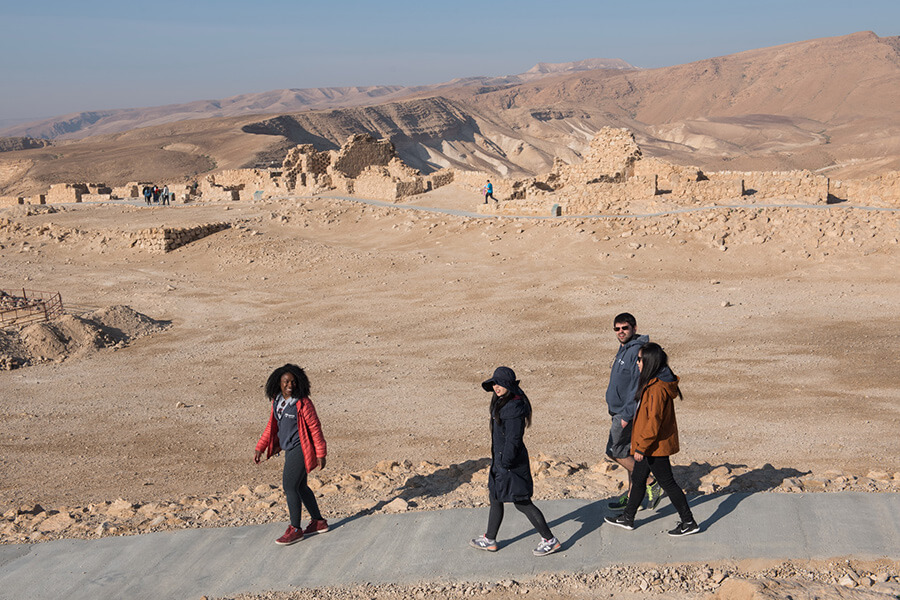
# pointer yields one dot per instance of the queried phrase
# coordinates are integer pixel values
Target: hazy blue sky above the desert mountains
(59, 56)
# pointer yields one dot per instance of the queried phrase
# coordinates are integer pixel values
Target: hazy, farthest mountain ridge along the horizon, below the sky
(84, 124)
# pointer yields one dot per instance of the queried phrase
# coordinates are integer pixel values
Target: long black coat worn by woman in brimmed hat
(510, 476)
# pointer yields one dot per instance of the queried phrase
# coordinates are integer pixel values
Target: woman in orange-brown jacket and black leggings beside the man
(654, 438)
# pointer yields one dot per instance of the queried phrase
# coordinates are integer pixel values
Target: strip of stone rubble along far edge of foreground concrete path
(394, 487)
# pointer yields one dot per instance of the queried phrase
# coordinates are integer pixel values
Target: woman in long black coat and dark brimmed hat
(509, 479)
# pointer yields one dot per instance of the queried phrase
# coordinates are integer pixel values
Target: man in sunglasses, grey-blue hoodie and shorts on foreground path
(623, 383)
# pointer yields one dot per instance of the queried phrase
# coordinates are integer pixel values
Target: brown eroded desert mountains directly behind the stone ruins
(830, 104)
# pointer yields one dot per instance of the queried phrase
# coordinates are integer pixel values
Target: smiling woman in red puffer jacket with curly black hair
(294, 427)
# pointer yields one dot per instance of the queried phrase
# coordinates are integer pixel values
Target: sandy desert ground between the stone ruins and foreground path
(784, 337)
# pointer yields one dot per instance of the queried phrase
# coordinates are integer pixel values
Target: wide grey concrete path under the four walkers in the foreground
(433, 545)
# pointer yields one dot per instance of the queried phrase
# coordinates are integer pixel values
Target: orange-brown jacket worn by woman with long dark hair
(655, 431)
